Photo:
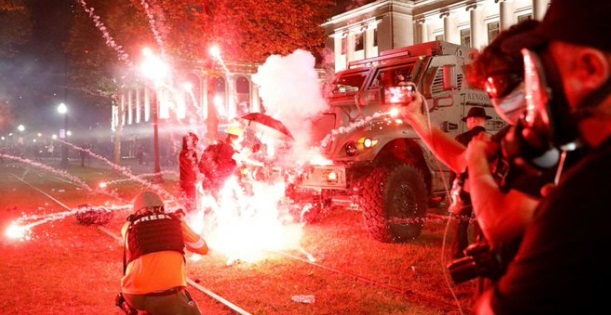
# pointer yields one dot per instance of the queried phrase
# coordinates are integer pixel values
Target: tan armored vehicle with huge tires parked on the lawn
(379, 164)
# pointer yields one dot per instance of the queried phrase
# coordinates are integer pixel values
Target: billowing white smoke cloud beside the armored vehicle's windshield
(291, 92)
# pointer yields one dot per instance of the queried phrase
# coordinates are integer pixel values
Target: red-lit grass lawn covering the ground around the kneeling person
(70, 268)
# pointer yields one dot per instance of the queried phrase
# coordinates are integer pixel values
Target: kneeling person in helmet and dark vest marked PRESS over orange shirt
(154, 277)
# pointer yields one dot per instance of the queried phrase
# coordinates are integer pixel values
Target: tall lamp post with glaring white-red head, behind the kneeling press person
(155, 69)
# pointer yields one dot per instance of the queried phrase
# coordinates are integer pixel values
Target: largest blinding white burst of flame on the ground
(246, 224)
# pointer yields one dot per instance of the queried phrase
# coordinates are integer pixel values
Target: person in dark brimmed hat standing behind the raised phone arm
(476, 123)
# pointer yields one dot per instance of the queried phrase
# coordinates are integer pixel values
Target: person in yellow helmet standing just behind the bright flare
(217, 163)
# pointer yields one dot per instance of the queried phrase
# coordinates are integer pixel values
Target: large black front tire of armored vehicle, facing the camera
(394, 203)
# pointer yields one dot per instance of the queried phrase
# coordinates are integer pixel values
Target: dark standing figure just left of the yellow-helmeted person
(188, 170)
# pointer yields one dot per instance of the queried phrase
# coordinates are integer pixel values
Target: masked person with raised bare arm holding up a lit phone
(500, 75)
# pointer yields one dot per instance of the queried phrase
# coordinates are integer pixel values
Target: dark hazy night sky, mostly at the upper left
(35, 80)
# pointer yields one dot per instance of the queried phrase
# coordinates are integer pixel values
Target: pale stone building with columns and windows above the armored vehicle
(382, 25)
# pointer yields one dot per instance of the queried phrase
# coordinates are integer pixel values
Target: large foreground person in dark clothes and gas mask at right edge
(564, 254)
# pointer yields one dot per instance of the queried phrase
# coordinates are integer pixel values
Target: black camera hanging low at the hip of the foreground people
(479, 261)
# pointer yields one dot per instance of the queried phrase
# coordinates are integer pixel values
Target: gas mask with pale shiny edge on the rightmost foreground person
(548, 125)
